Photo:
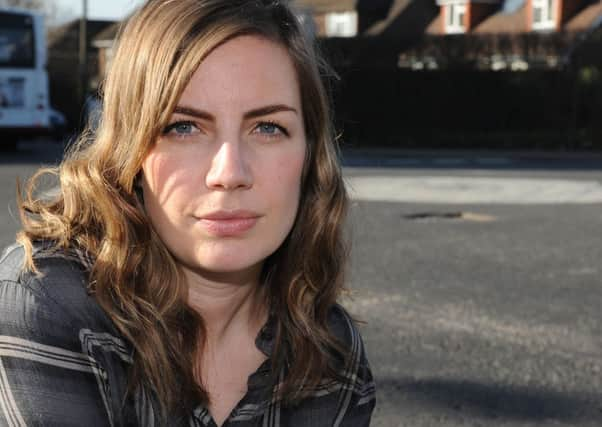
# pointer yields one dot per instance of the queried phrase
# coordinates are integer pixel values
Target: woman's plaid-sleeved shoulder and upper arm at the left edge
(51, 326)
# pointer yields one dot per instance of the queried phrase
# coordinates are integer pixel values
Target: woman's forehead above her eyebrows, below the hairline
(244, 72)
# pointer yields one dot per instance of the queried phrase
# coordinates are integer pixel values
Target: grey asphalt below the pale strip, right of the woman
(477, 323)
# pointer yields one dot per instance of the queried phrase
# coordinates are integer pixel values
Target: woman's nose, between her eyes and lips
(229, 169)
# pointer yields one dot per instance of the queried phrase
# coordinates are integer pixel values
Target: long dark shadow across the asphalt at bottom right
(511, 403)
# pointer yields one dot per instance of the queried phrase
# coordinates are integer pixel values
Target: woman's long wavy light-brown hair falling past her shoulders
(133, 276)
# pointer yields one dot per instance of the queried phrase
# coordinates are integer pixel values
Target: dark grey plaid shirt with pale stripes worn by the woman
(63, 362)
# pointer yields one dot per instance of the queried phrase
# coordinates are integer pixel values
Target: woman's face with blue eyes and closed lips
(221, 185)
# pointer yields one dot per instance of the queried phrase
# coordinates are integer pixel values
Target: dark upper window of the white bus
(16, 41)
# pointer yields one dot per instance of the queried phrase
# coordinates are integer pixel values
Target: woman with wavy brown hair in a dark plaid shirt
(187, 271)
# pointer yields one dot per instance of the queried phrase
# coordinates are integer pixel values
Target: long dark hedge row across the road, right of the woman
(534, 109)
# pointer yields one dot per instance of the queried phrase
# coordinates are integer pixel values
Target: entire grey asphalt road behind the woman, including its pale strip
(480, 313)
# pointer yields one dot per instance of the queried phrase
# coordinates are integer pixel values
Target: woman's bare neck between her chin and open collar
(230, 307)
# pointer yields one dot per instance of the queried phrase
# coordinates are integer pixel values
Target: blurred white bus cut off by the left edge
(24, 99)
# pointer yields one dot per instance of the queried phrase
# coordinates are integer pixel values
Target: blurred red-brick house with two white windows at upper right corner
(504, 34)
